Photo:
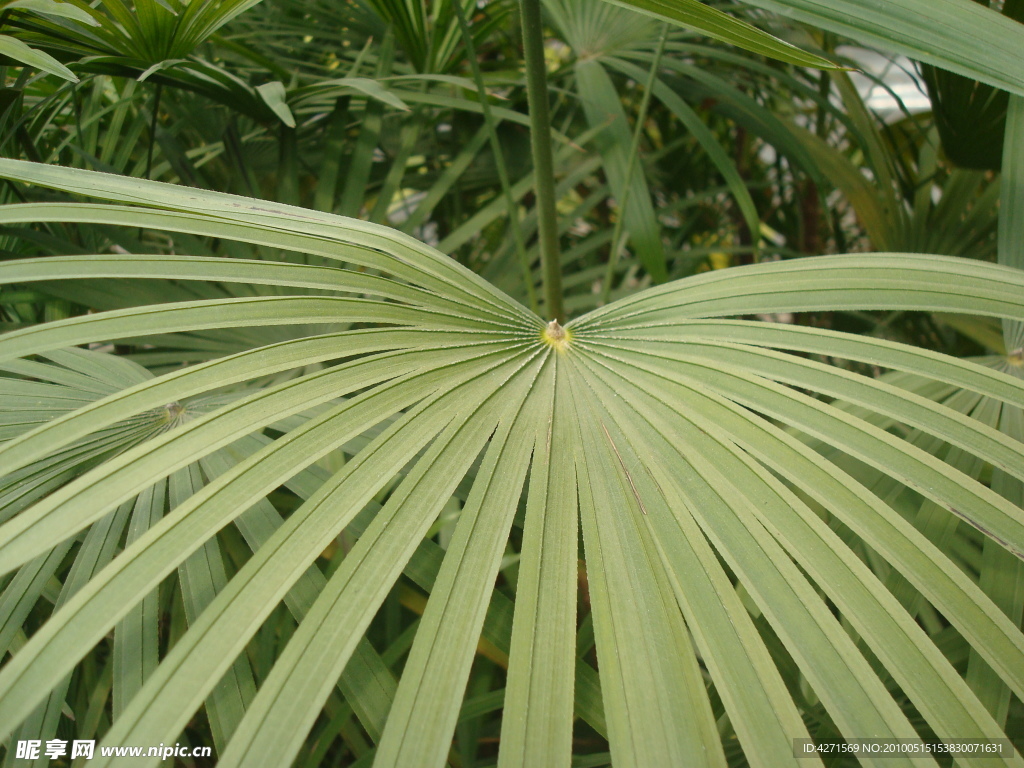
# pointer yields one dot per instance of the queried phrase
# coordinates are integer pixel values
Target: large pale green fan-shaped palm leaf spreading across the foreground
(677, 441)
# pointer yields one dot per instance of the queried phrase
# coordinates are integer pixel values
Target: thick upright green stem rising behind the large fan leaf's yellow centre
(540, 140)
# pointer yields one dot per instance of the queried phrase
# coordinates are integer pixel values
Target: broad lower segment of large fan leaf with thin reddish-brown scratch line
(655, 697)
